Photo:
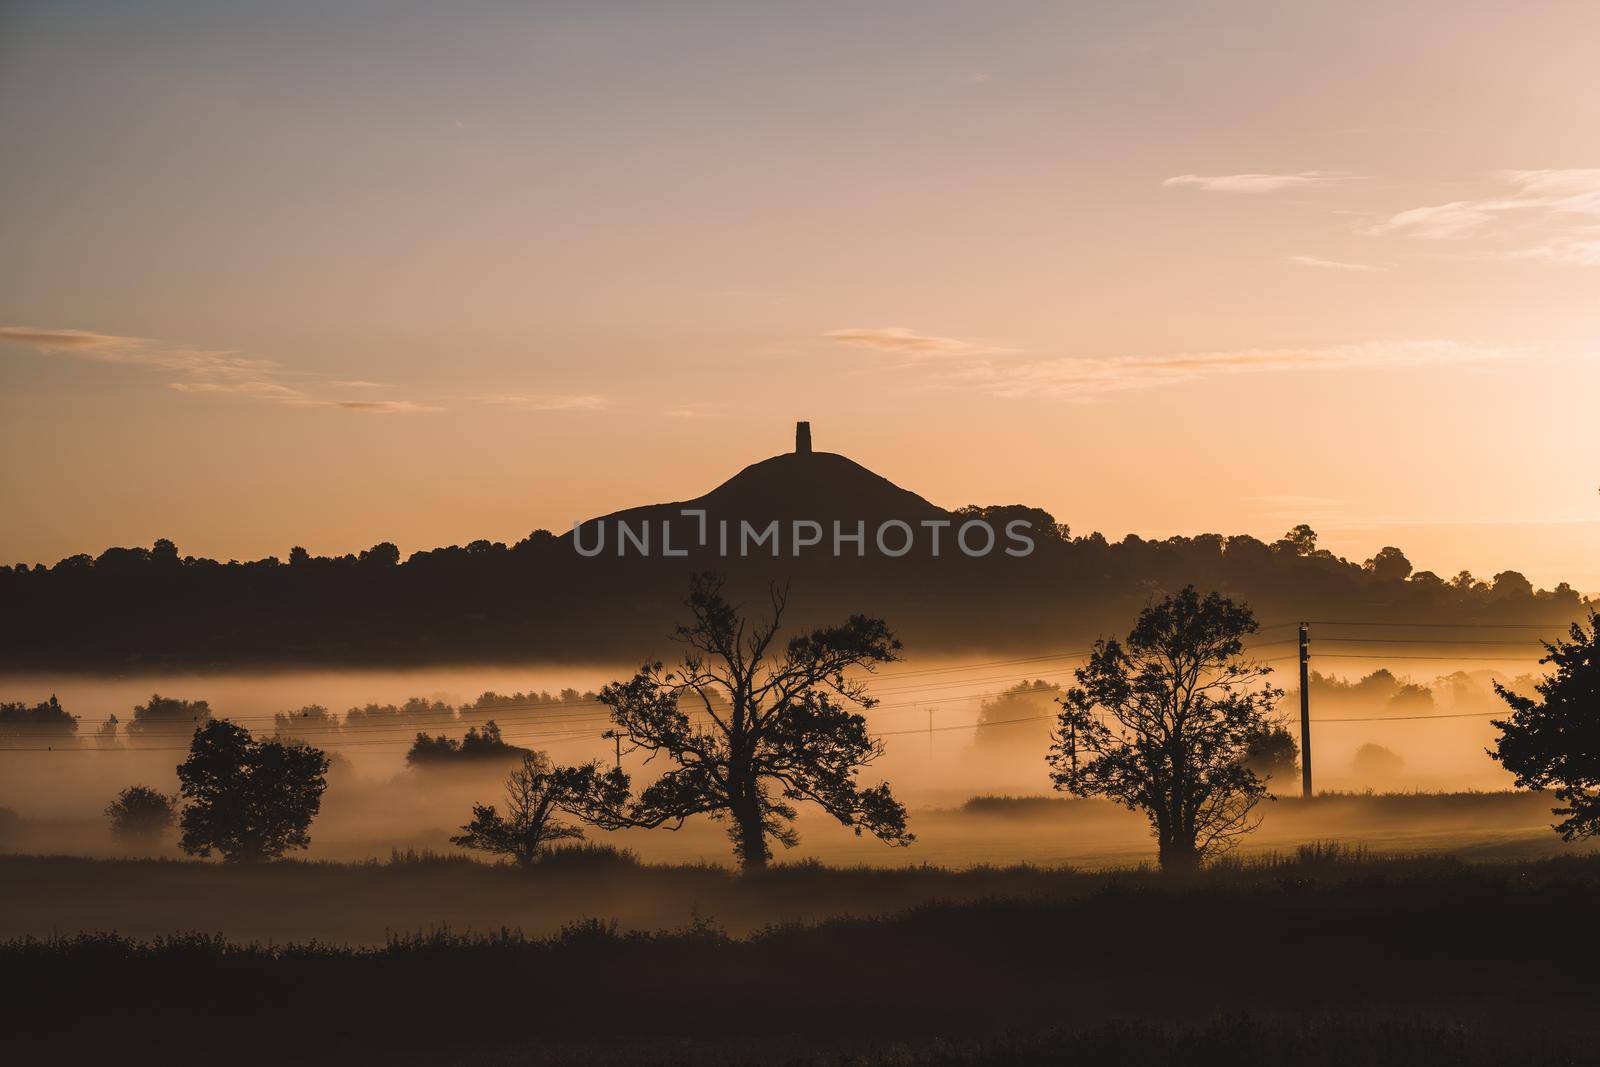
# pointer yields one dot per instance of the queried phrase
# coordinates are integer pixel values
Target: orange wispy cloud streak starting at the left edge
(199, 370)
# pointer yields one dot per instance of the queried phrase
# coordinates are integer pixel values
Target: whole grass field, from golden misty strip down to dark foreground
(1447, 929)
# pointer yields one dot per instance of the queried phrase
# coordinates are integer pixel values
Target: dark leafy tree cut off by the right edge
(1553, 741)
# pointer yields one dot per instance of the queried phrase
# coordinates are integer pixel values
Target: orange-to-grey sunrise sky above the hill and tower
(332, 274)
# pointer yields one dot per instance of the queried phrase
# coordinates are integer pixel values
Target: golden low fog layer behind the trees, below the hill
(953, 730)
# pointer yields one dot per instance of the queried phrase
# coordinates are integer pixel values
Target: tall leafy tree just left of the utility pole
(1164, 722)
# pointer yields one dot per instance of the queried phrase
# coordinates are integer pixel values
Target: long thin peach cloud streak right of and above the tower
(1094, 378)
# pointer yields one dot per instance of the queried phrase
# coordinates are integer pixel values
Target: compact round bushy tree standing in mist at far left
(250, 801)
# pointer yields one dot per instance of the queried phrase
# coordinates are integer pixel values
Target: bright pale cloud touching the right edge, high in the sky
(1546, 204)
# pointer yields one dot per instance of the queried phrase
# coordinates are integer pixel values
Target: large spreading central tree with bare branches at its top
(748, 725)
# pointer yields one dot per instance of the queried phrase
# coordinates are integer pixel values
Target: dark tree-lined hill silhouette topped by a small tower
(134, 610)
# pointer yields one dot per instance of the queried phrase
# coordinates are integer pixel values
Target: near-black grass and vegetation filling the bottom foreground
(1326, 957)
